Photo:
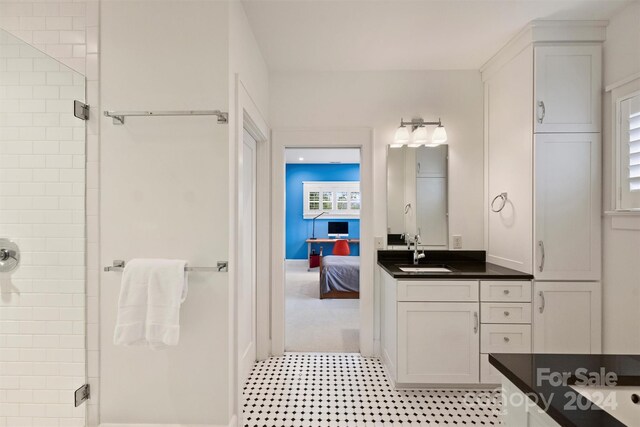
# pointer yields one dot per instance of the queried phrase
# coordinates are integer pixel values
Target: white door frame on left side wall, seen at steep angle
(248, 116)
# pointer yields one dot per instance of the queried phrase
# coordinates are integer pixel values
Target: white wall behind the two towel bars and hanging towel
(164, 193)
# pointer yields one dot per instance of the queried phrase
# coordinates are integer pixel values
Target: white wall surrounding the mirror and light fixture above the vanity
(378, 100)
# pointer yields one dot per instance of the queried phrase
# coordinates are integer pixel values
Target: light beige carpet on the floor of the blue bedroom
(315, 325)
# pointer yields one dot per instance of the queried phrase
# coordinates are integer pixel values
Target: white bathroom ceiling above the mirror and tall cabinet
(338, 35)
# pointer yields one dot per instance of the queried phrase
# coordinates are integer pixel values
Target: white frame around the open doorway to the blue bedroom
(361, 138)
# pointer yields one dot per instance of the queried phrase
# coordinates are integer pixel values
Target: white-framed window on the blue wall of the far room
(336, 199)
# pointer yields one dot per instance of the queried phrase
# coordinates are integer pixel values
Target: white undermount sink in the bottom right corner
(621, 402)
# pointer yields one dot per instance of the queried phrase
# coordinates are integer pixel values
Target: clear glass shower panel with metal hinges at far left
(42, 239)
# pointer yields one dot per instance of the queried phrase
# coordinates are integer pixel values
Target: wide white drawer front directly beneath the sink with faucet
(438, 290)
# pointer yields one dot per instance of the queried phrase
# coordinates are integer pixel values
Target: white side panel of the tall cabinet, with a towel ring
(508, 164)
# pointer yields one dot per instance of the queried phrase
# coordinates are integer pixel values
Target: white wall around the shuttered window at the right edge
(621, 247)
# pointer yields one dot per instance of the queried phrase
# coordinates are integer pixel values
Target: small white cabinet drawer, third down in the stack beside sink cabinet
(505, 339)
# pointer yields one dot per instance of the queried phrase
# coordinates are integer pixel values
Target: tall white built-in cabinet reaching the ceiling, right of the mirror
(543, 149)
